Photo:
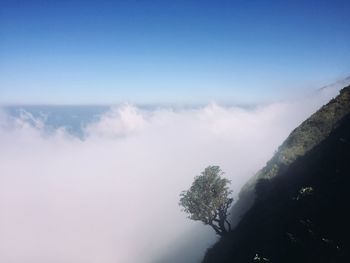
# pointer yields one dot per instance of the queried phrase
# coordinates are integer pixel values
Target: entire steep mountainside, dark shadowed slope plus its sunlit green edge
(300, 210)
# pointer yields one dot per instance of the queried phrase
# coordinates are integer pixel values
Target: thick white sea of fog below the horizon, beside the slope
(87, 184)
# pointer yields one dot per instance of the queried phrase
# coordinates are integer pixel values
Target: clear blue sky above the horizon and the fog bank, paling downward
(145, 51)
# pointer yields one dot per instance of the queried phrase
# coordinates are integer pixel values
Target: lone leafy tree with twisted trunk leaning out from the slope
(208, 200)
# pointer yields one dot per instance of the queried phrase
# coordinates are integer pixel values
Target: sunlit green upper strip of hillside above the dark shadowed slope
(304, 138)
